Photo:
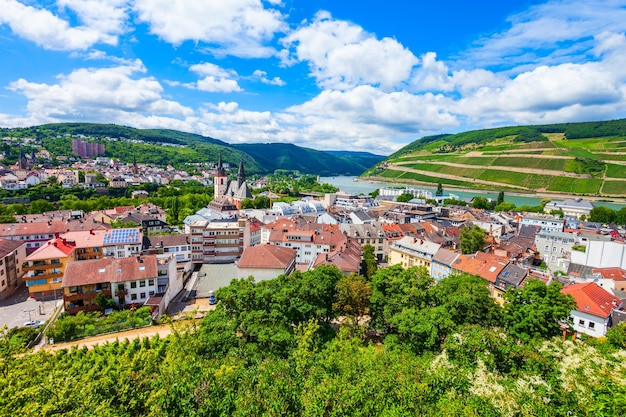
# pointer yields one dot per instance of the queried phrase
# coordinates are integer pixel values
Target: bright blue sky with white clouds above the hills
(329, 75)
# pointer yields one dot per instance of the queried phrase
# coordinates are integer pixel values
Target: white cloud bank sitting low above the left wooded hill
(106, 95)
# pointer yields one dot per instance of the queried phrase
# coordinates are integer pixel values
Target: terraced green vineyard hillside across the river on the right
(572, 158)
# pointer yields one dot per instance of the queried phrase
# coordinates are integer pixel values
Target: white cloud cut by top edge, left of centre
(236, 27)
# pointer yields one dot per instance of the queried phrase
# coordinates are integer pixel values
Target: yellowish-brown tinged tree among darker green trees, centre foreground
(353, 297)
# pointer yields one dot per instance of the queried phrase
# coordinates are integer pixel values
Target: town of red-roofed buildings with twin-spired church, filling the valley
(77, 256)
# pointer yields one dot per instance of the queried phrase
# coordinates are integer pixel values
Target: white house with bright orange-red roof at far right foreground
(594, 304)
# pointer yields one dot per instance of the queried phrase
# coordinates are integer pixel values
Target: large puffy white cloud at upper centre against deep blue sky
(342, 55)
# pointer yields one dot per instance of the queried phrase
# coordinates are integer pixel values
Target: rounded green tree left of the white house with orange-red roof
(537, 310)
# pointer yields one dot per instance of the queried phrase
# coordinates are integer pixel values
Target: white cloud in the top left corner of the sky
(104, 21)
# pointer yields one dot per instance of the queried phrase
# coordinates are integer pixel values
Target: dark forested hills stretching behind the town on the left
(181, 149)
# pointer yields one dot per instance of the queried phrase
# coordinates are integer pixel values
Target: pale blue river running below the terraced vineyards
(349, 185)
